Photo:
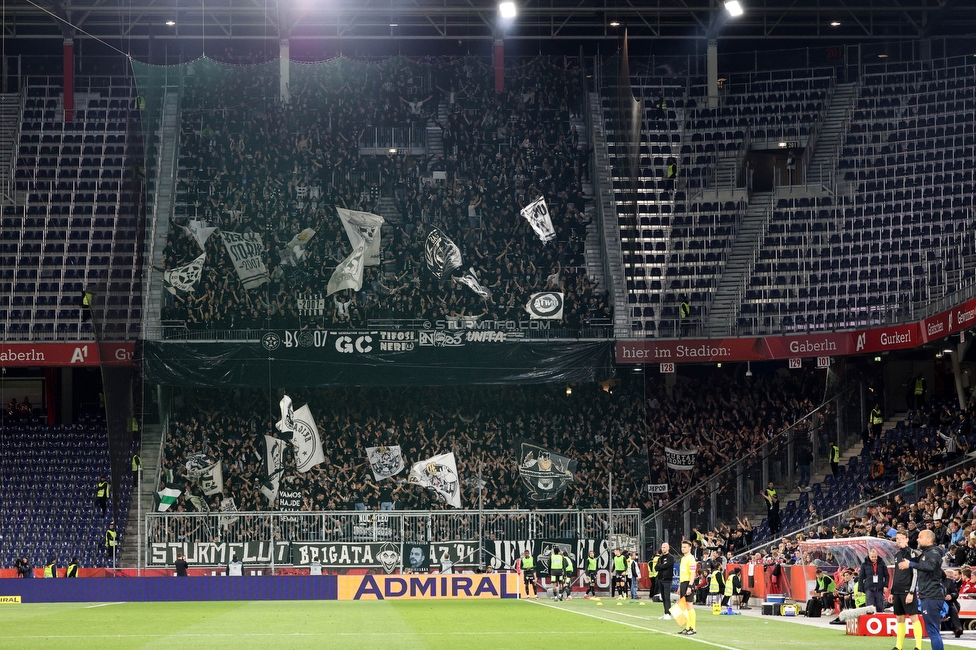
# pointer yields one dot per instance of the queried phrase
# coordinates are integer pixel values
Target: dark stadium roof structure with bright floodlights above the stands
(836, 20)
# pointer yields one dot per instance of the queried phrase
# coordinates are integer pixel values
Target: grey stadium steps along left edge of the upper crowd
(165, 181)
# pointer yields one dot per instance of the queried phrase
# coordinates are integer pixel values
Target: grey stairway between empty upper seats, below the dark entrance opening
(727, 297)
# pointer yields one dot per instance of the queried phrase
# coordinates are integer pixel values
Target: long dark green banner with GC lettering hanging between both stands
(375, 358)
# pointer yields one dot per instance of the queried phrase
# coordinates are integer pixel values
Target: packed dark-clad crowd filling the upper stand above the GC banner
(250, 162)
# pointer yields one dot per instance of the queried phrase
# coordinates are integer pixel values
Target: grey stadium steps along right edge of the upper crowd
(614, 263)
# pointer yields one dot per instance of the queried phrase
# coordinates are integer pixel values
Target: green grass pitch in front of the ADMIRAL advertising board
(401, 625)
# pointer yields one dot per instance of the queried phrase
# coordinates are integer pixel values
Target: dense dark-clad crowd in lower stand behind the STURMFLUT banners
(603, 428)
